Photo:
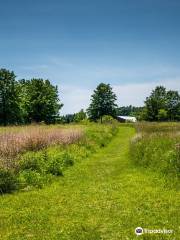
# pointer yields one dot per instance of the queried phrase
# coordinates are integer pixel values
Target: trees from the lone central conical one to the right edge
(161, 105)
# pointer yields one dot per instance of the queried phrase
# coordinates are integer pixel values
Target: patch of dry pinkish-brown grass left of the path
(14, 141)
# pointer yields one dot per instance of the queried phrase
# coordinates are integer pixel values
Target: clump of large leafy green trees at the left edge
(26, 101)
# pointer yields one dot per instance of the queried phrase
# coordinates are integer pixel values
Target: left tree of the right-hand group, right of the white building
(155, 102)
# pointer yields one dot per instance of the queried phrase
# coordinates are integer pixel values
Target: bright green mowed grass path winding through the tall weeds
(103, 197)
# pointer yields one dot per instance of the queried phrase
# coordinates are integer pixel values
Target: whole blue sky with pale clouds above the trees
(133, 45)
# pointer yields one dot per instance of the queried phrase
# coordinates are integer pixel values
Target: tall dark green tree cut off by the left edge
(10, 112)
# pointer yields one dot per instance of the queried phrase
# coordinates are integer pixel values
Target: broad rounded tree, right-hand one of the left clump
(41, 102)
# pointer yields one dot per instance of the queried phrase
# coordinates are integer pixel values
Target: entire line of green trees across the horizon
(37, 100)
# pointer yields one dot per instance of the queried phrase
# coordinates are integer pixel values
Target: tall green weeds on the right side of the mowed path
(157, 146)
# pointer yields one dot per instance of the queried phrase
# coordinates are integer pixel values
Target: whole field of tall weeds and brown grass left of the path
(33, 156)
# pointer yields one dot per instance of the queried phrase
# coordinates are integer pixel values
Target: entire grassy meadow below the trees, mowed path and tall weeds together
(91, 181)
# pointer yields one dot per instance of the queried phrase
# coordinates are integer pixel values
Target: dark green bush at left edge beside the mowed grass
(8, 181)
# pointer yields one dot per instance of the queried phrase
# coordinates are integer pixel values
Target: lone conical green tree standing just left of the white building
(102, 102)
